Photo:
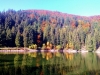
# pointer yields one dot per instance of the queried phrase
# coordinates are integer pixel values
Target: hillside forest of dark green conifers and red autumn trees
(26, 27)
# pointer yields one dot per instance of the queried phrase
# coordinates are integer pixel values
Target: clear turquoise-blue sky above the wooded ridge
(76, 7)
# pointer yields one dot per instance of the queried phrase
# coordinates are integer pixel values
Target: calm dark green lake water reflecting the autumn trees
(47, 63)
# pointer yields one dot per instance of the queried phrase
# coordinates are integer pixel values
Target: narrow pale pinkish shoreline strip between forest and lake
(27, 50)
